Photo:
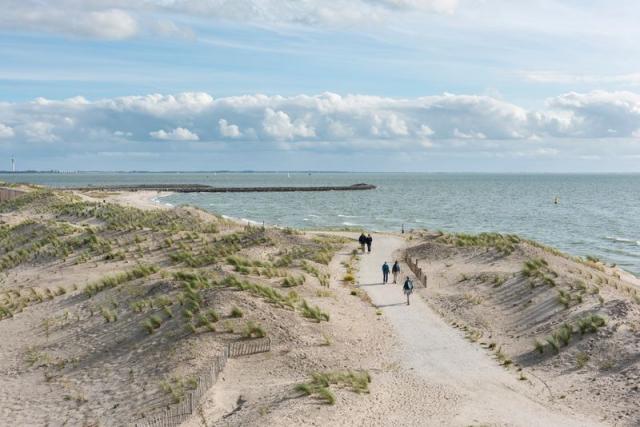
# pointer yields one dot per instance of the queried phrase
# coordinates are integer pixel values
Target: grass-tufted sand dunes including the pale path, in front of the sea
(112, 304)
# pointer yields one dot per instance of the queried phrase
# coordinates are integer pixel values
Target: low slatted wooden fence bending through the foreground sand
(176, 414)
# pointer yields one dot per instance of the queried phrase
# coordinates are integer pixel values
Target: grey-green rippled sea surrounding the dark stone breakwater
(597, 214)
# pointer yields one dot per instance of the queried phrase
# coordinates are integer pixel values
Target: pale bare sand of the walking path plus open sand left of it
(424, 372)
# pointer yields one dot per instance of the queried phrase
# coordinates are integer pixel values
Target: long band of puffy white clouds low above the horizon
(326, 121)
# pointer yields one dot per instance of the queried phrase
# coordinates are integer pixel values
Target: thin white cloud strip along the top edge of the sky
(118, 19)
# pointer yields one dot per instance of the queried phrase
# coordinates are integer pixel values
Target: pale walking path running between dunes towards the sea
(485, 392)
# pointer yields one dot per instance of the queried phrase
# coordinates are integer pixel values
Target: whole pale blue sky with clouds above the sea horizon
(362, 85)
